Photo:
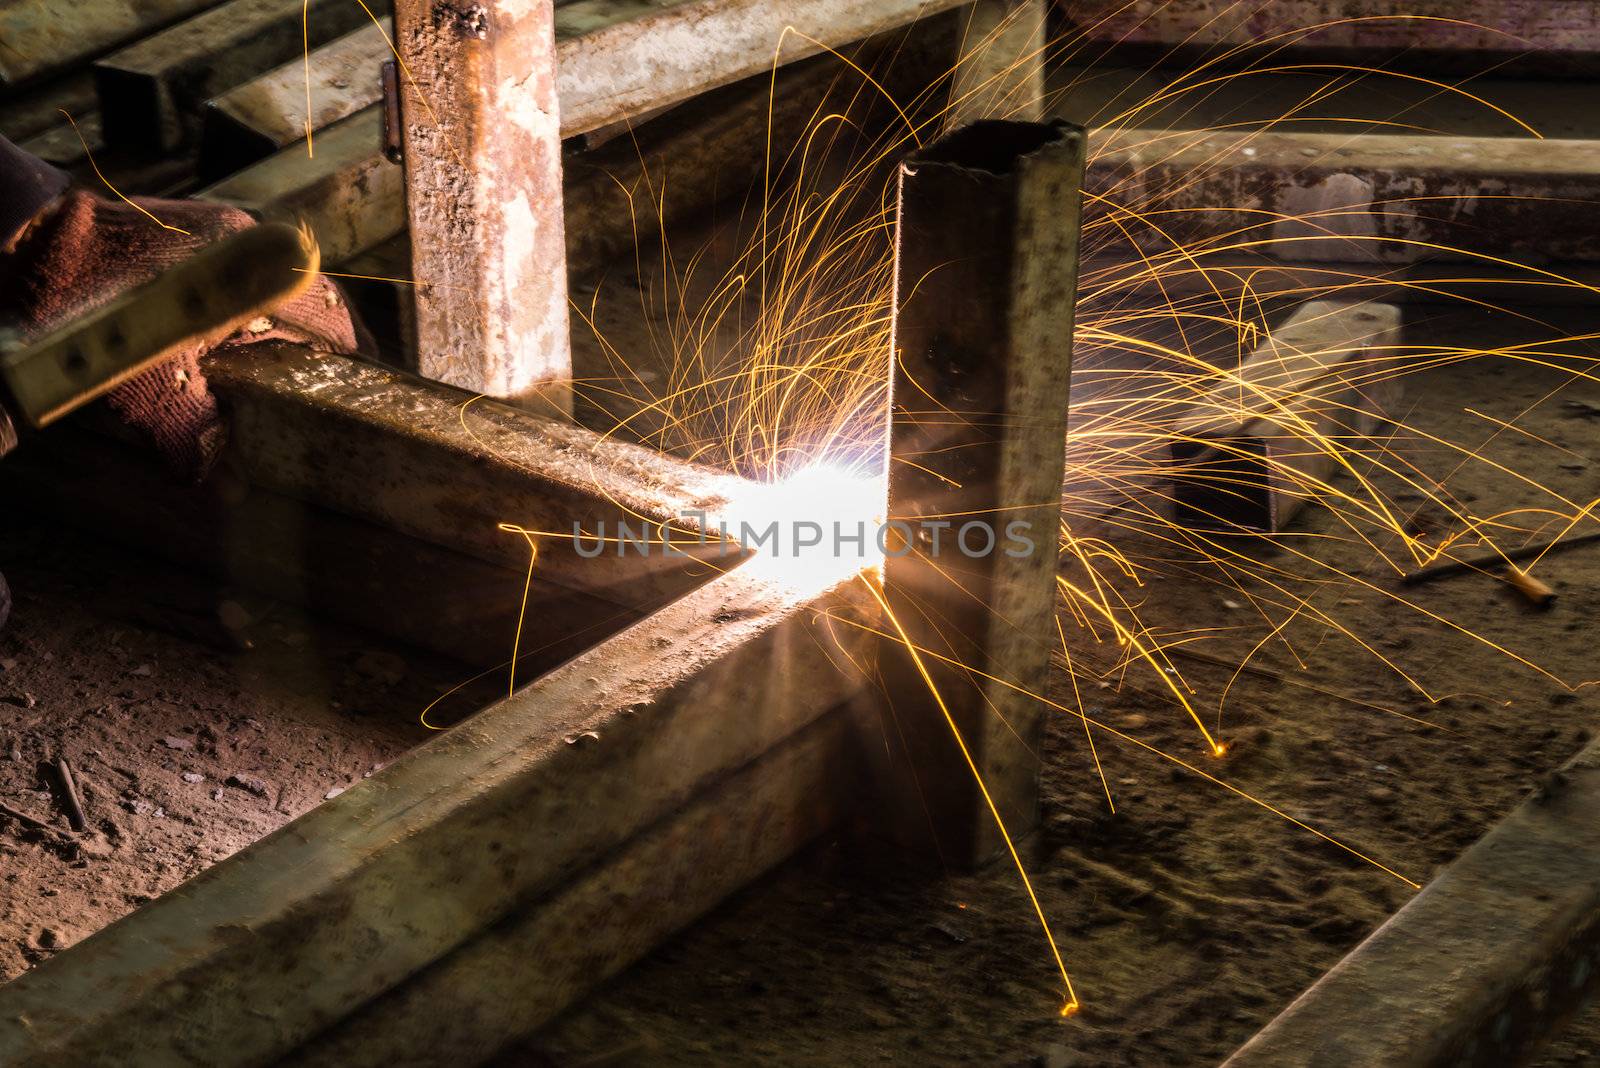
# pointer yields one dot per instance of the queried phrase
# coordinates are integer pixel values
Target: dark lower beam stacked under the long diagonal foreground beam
(553, 952)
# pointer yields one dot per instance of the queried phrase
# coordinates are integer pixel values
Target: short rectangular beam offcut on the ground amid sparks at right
(1260, 444)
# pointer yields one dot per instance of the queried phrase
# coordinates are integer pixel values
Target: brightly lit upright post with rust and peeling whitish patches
(484, 196)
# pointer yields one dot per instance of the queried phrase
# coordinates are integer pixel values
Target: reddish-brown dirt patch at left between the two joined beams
(186, 744)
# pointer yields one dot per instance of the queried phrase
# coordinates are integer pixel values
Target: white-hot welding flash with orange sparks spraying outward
(772, 367)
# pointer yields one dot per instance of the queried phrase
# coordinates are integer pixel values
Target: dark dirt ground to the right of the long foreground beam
(1190, 917)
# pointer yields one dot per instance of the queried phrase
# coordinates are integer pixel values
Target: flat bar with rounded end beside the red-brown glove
(199, 301)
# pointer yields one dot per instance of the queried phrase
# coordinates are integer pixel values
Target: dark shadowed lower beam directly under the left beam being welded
(340, 567)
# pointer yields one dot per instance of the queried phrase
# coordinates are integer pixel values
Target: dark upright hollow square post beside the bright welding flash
(986, 277)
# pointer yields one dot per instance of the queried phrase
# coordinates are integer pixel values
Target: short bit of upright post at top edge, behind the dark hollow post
(1001, 65)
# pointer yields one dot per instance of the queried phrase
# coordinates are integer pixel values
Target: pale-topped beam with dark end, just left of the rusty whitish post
(254, 121)
